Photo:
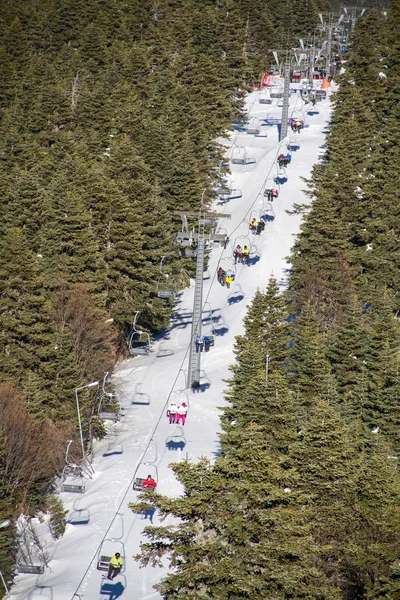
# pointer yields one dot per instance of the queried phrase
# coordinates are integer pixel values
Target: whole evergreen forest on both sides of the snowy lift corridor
(109, 112)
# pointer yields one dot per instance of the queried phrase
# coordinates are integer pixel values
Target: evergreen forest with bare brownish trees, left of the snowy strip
(109, 112)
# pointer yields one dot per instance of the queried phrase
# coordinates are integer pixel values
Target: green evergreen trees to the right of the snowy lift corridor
(303, 500)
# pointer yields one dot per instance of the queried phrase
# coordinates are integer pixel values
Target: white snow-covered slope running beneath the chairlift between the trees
(145, 383)
